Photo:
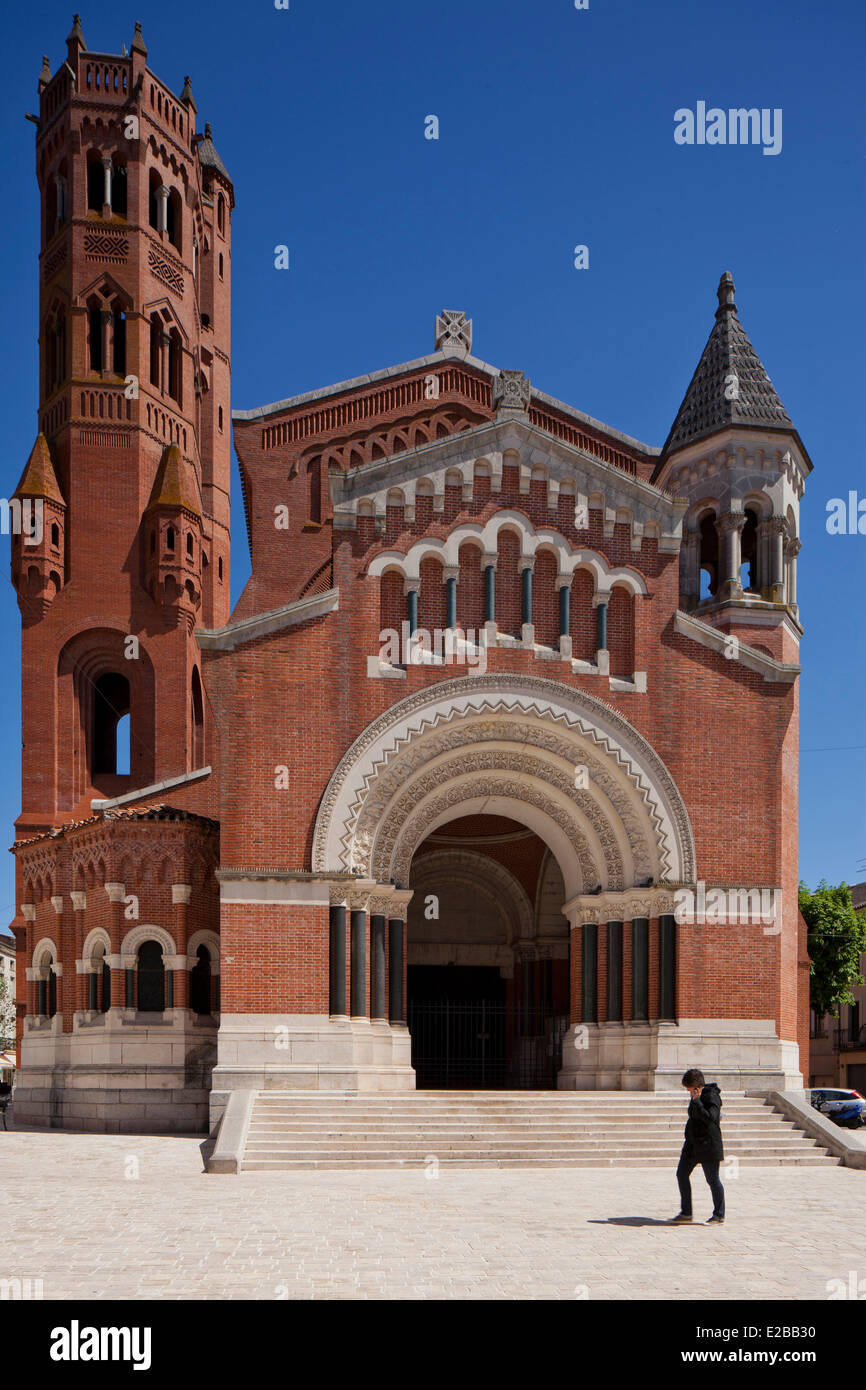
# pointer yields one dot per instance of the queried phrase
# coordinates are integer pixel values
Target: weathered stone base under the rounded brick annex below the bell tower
(117, 1074)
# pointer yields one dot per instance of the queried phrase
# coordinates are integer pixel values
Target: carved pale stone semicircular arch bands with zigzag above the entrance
(632, 800)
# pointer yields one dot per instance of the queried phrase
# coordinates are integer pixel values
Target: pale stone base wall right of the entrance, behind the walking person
(739, 1054)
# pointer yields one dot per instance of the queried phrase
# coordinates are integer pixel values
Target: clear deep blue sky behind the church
(555, 130)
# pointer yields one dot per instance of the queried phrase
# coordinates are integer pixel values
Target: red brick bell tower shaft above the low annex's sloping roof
(129, 479)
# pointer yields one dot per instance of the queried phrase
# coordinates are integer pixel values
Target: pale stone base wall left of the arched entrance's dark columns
(311, 1053)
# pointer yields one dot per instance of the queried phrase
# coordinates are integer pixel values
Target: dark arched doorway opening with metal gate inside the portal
(489, 997)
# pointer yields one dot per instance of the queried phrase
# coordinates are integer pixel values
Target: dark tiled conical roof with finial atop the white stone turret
(730, 386)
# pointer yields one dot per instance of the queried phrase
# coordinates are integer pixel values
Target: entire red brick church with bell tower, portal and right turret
(505, 689)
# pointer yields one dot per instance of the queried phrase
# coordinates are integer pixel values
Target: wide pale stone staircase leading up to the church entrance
(293, 1131)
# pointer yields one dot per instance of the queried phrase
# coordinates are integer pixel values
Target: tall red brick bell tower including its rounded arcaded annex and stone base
(124, 553)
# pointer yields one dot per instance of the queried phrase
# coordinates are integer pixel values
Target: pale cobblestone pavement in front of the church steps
(108, 1217)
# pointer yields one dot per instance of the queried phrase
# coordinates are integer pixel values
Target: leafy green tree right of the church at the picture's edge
(838, 939)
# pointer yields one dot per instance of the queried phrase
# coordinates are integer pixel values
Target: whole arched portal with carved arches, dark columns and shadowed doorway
(610, 835)
